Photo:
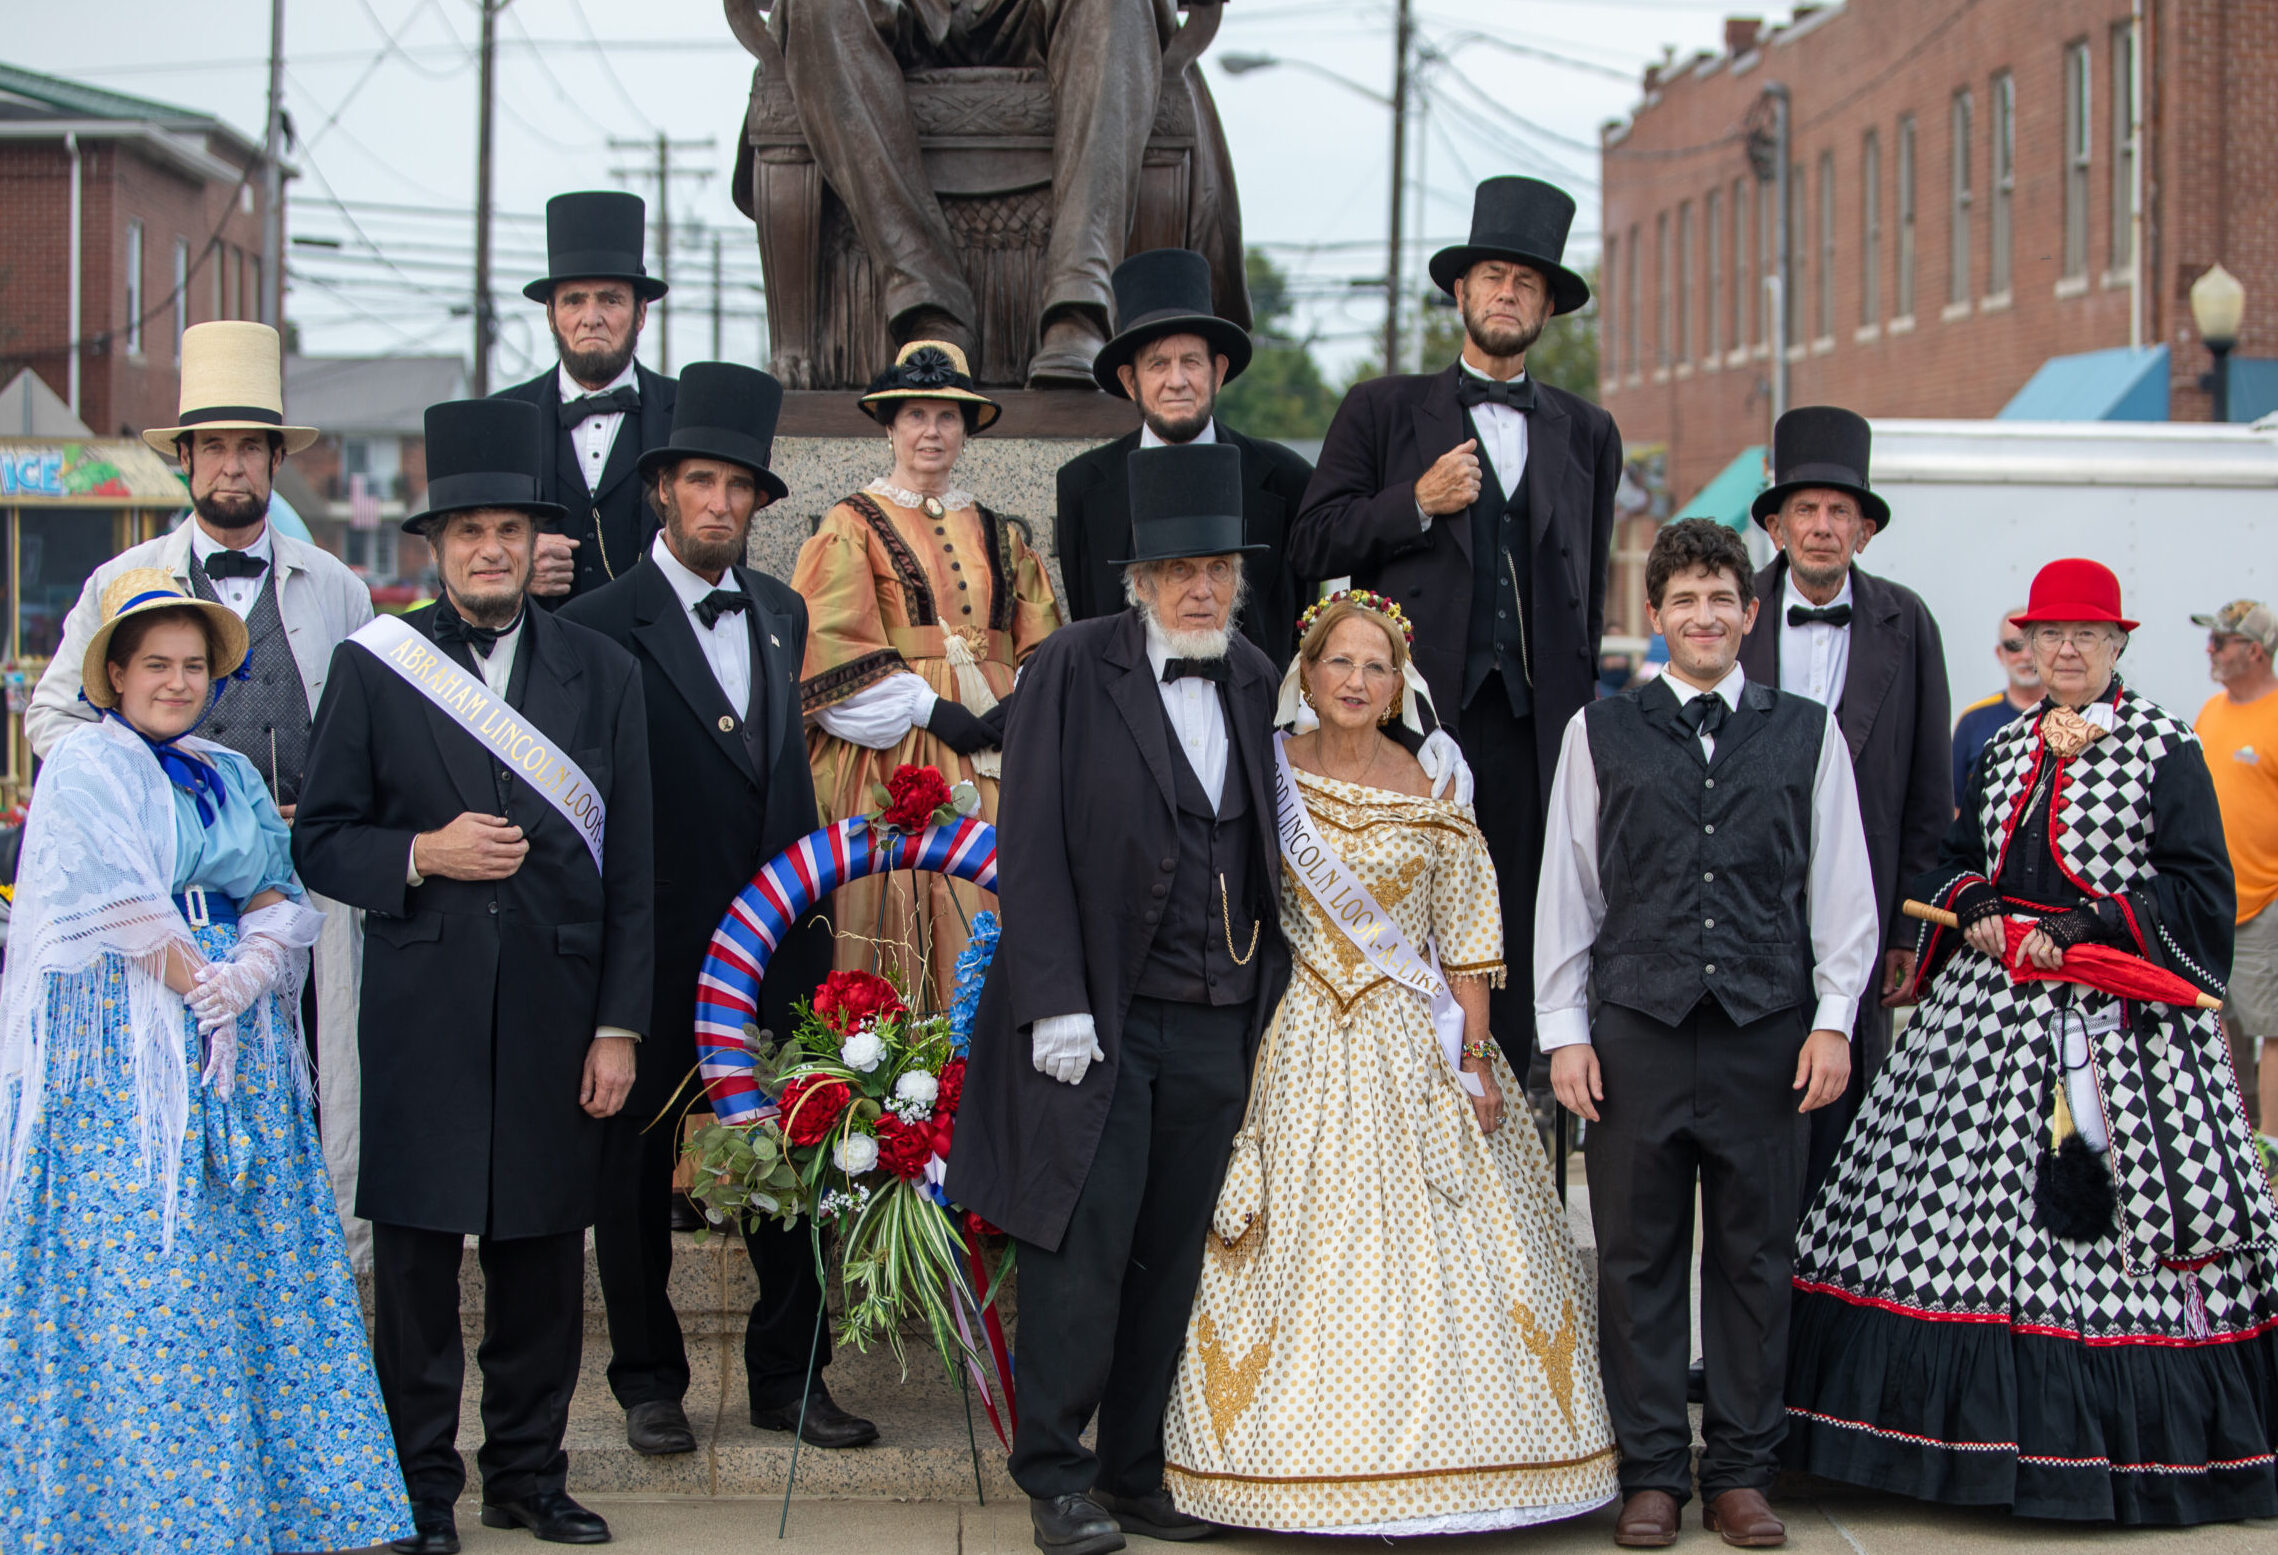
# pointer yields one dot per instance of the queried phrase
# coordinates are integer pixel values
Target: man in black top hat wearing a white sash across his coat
(480, 787)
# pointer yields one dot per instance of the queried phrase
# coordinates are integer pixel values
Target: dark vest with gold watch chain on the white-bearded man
(1190, 960)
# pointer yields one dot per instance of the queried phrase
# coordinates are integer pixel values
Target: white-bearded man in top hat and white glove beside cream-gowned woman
(1140, 962)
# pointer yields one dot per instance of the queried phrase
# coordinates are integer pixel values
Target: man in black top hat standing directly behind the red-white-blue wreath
(719, 650)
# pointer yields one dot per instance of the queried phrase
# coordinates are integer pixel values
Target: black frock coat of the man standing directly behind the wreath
(719, 814)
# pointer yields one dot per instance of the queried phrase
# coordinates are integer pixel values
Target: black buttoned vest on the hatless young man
(1705, 864)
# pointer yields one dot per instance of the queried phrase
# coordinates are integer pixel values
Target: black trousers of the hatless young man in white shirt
(1701, 1103)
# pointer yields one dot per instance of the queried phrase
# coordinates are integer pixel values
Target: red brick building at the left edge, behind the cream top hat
(170, 236)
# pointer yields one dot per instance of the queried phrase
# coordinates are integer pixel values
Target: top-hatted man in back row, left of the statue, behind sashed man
(603, 409)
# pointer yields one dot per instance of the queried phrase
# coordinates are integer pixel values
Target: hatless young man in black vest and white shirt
(1705, 875)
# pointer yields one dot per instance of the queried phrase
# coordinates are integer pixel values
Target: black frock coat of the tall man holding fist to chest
(1361, 523)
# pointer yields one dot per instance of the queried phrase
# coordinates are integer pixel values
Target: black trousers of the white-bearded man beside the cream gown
(1104, 1317)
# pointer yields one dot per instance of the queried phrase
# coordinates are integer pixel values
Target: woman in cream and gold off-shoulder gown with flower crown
(1402, 1338)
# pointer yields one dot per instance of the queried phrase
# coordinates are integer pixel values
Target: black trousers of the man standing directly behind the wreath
(632, 1244)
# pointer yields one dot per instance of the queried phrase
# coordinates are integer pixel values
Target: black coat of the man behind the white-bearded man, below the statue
(1095, 532)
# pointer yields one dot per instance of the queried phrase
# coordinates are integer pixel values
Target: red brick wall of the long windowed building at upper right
(2211, 101)
